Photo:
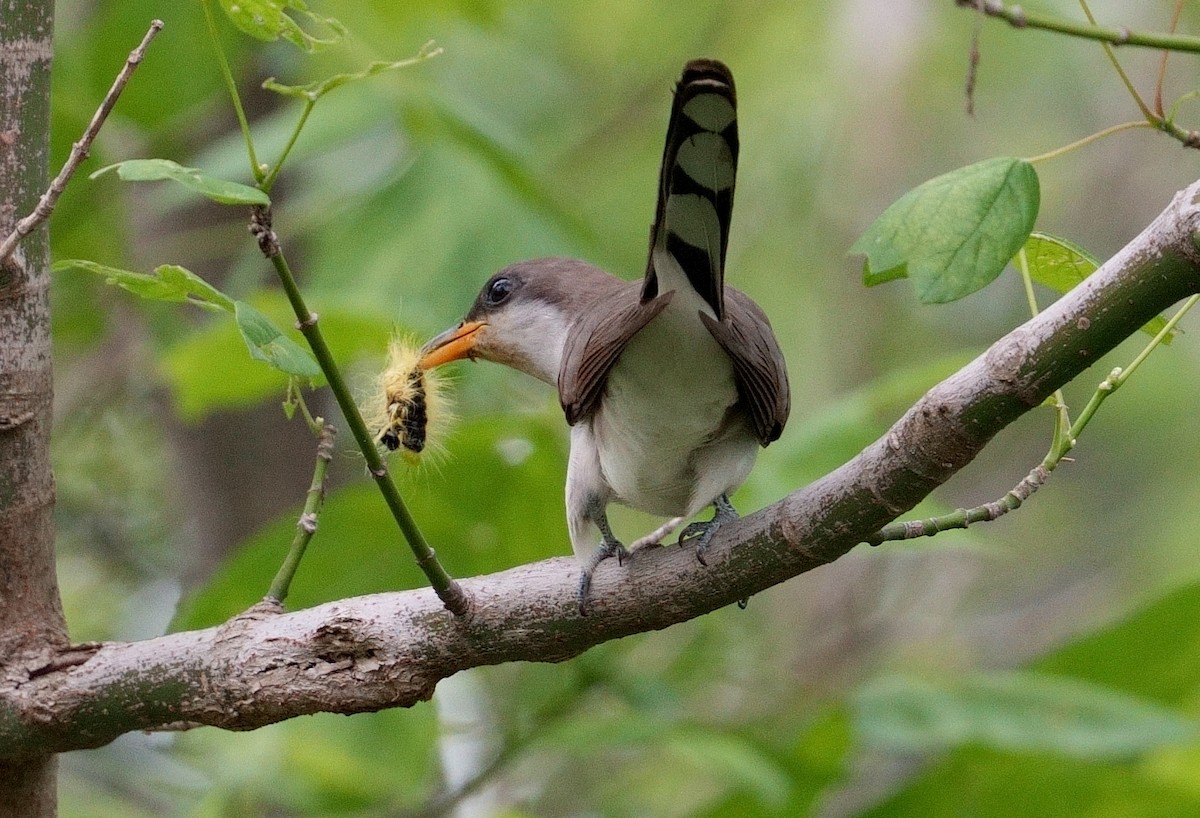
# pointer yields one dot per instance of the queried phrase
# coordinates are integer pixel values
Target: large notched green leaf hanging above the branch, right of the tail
(956, 233)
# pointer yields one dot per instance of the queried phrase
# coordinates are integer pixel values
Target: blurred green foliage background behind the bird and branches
(1045, 665)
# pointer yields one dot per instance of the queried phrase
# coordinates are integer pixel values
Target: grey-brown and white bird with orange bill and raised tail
(670, 384)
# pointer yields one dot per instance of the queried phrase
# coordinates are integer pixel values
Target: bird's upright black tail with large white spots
(692, 221)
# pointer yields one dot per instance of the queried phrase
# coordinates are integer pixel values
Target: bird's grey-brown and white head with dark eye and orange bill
(521, 317)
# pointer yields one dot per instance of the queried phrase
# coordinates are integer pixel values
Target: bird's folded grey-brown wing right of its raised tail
(759, 366)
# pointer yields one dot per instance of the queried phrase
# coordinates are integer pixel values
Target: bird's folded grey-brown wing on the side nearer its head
(596, 341)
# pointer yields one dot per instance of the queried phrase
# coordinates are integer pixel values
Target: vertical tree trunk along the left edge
(31, 612)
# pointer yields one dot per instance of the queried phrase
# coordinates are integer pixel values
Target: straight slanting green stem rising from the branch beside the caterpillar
(445, 586)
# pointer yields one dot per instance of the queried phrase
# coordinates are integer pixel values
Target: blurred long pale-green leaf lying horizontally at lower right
(1019, 712)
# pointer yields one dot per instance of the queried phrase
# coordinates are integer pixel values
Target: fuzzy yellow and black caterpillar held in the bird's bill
(410, 402)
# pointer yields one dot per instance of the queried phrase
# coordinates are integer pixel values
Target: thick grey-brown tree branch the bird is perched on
(377, 652)
